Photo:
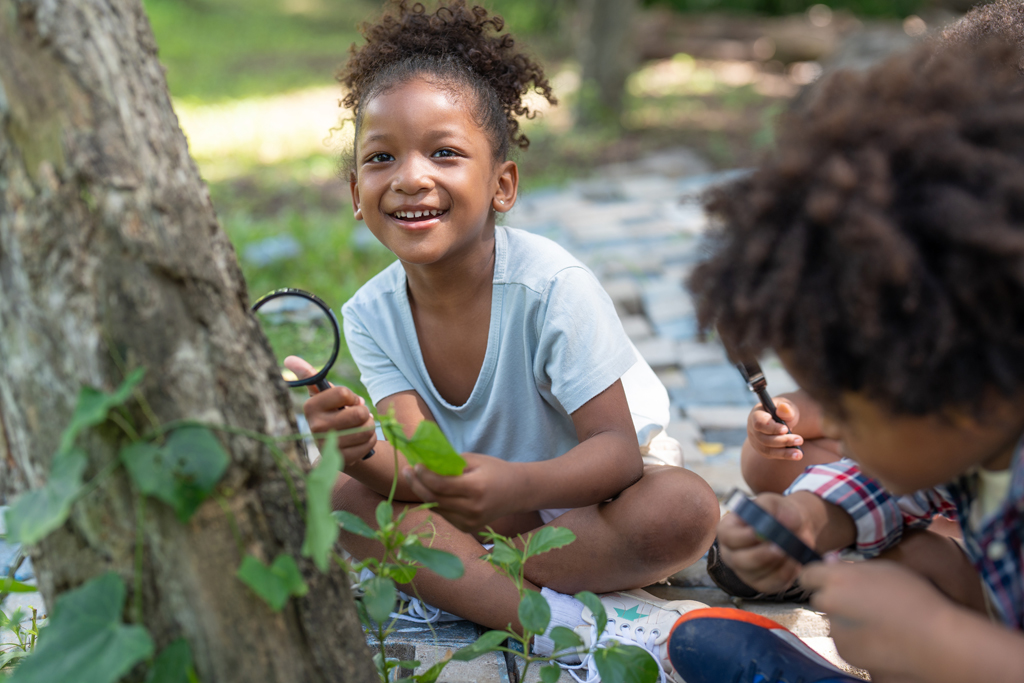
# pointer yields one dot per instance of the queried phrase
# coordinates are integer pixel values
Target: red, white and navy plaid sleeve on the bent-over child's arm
(880, 517)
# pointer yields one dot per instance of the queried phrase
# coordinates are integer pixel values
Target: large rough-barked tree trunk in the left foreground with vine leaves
(111, 252)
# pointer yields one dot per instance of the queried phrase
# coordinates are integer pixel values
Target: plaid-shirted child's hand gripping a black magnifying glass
(761, 565)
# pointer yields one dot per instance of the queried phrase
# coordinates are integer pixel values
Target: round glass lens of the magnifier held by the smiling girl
(296, 326)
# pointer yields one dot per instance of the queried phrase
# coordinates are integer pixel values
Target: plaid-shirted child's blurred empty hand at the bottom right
(880, 615)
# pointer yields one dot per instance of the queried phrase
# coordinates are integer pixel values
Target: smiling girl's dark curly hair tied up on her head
(457, 46)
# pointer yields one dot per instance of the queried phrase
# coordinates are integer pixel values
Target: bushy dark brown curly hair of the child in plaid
(882, 244)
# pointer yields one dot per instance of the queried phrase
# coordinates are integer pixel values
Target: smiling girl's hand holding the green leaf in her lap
(485, 492)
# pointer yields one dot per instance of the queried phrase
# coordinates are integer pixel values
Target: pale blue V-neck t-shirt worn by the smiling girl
(554, 344)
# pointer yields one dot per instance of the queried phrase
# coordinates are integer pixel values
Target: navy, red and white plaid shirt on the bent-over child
(996, 548)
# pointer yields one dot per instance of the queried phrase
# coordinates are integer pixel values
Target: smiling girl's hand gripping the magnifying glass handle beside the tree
(336, 410)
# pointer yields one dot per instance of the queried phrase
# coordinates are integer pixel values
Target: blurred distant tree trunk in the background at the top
(607, 59)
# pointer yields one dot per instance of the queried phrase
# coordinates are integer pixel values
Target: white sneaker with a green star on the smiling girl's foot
(635, 618)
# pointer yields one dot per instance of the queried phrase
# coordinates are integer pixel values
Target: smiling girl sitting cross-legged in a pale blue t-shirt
(501, 337)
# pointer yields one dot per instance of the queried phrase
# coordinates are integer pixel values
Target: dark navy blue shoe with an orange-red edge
(723, 646)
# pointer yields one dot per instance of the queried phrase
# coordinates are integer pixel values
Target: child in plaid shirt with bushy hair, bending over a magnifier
(880, 252)
